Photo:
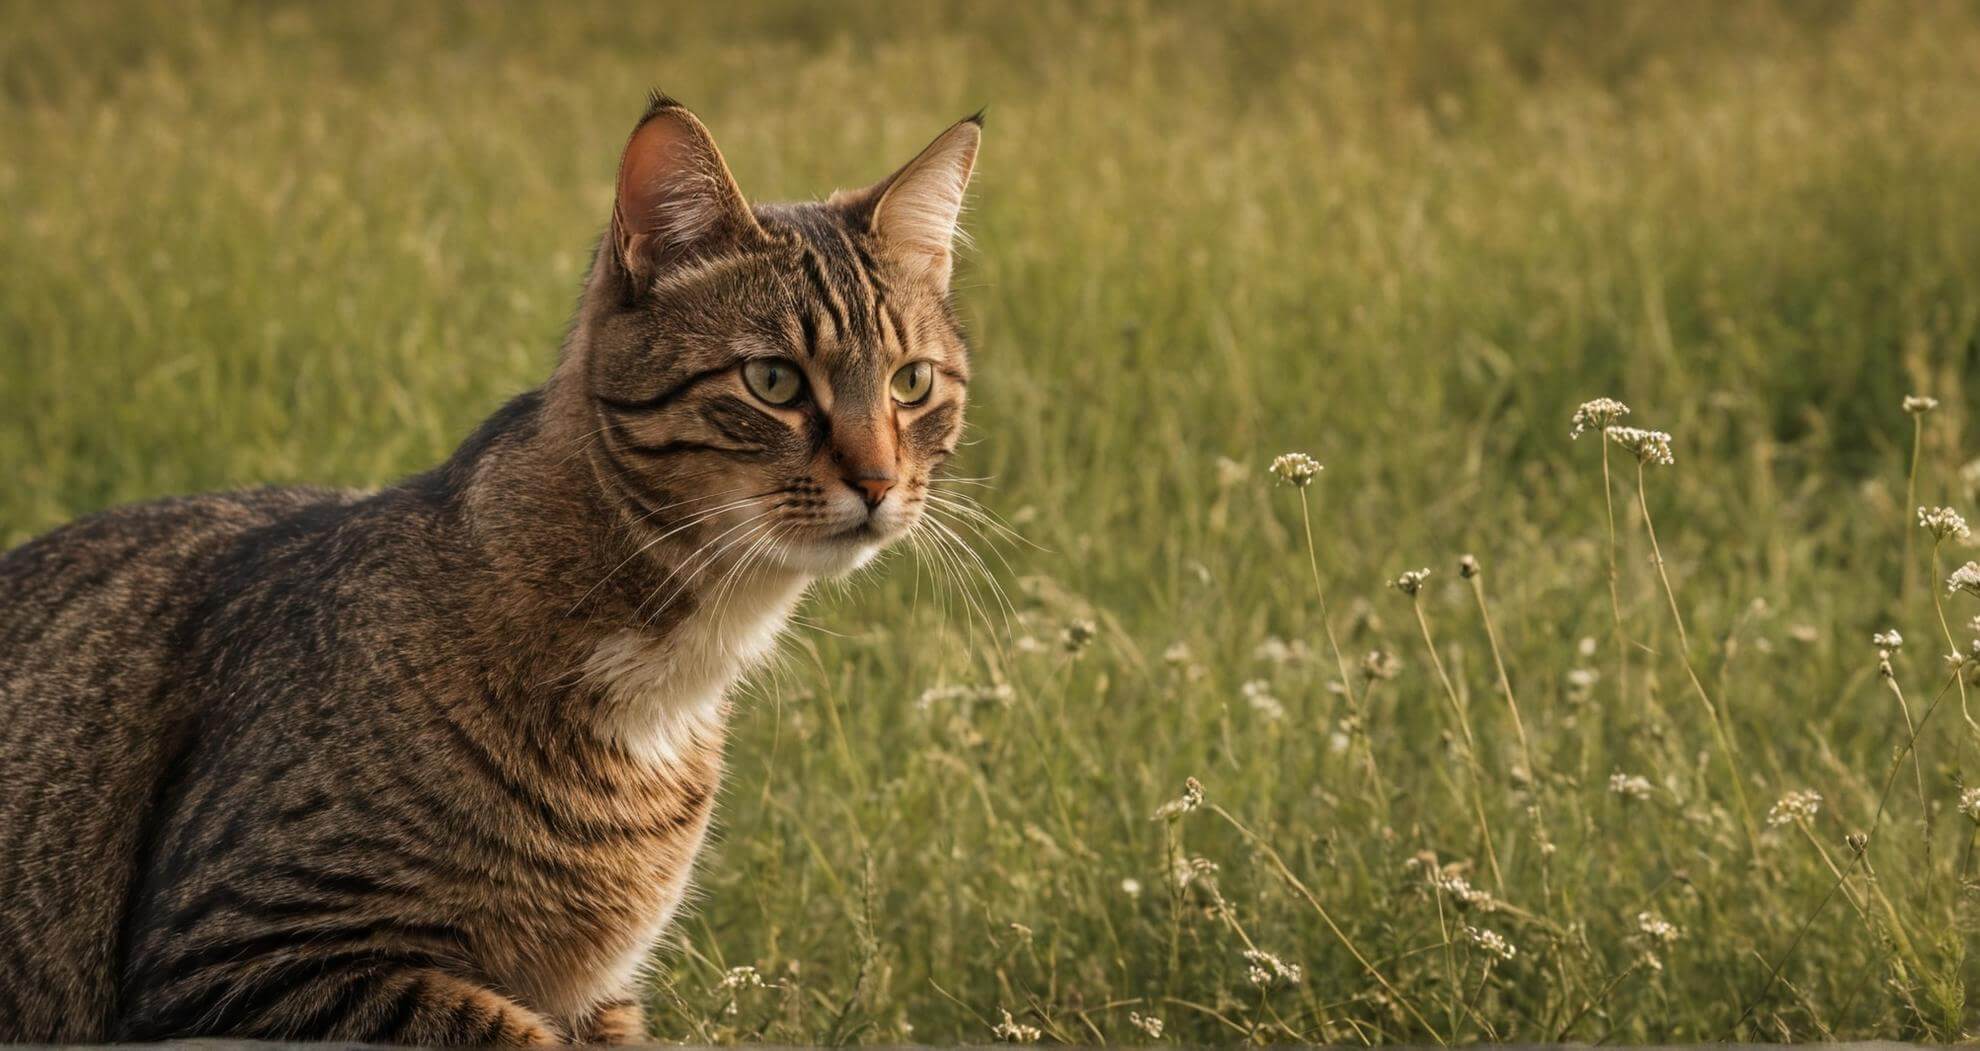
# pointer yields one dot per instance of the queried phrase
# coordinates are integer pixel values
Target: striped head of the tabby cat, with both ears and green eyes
(775, 383)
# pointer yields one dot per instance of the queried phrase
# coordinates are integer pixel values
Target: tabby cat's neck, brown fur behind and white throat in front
(637, 640)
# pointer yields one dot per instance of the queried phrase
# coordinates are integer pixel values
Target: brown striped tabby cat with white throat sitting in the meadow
(433, 765)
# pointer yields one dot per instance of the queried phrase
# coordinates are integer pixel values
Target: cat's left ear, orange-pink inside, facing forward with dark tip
(676, 197)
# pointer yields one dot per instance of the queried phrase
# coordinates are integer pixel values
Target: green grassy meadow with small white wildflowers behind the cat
(284, 244)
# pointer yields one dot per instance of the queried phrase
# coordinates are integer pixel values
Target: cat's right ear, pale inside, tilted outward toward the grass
(914, 213)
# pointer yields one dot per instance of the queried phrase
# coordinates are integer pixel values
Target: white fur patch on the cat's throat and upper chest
(666, 694)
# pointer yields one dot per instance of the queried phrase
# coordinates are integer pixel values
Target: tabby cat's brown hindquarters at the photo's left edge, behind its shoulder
(92, 621)
